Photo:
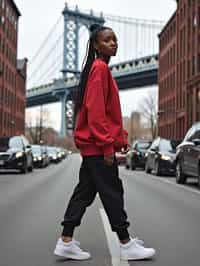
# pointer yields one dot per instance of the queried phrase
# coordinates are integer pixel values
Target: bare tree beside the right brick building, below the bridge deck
(149, 108)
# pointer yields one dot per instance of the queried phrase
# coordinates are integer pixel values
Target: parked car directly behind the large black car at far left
(40, 156)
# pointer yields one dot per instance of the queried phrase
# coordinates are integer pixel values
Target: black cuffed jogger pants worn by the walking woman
(95, 176)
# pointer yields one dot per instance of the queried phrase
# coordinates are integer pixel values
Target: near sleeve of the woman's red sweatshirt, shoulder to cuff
(97, 89)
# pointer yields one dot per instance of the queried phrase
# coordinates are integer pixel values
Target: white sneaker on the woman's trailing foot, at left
(70, 250)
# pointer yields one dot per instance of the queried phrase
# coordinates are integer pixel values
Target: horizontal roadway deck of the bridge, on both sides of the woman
(130, 74)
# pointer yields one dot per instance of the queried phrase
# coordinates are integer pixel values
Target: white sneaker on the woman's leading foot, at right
(133, 251)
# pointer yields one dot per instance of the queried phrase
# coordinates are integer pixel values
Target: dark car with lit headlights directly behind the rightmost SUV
(161, 155)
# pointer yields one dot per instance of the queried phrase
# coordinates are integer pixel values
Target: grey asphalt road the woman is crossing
(162, 213)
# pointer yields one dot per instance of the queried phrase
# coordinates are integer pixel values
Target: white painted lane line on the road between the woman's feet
(113, 242)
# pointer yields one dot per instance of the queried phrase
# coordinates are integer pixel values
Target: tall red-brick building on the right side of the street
(179, 71)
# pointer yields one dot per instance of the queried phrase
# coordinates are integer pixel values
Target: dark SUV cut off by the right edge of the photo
(188, 156)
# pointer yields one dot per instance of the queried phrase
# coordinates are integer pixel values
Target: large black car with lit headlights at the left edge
(16, 153)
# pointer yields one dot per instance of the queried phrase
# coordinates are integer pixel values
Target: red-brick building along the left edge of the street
(12, 72)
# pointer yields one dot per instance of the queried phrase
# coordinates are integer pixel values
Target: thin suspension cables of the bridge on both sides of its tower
(137, 38)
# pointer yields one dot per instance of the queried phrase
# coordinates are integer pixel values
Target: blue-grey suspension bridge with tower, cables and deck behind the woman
(65, 56)
